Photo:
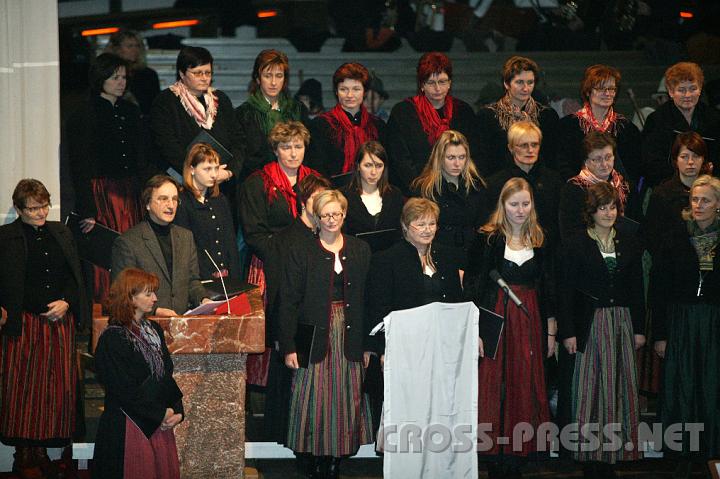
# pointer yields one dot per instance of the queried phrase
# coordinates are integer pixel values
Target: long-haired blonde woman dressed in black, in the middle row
(451, 180)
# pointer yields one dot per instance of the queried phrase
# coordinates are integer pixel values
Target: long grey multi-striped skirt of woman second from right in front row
(605, 387)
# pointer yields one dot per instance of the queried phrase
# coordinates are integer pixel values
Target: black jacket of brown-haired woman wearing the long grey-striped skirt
(586, 284)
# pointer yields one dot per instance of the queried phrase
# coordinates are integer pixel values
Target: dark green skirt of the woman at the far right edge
(690, 392)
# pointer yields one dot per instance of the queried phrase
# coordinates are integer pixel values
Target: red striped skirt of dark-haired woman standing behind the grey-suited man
(118, 208)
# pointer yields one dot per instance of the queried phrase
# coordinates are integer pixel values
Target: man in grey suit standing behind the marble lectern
(160, 247)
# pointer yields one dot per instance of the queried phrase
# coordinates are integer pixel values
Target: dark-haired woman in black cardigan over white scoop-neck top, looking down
(373, 203)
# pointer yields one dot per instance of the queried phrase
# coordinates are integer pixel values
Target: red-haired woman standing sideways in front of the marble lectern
(143, 403)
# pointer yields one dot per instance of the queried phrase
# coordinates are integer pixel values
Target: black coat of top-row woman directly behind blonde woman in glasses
(494, 154)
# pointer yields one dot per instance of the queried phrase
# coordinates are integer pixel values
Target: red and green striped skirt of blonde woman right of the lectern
(329, 413)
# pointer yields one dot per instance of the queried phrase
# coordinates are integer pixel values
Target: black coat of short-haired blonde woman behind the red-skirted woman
(546, 185)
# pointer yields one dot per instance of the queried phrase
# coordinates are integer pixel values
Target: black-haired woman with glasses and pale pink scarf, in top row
(189, 106)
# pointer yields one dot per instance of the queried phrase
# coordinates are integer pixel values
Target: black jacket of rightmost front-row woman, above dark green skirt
(675, 279)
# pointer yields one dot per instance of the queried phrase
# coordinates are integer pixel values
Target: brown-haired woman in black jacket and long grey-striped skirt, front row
(601, 318)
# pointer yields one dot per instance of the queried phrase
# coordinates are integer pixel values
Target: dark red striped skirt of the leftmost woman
(37, 387)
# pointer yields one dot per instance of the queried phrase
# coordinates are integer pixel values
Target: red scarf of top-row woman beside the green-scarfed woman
(348, 136)
